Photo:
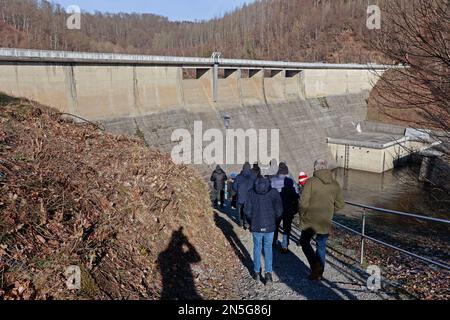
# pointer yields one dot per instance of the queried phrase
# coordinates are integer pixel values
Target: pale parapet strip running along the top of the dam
(26, 55)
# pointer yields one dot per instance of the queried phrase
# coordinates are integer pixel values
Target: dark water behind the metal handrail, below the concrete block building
(398, 190)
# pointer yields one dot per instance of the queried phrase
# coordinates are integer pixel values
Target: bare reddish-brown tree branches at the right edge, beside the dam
(416, 34)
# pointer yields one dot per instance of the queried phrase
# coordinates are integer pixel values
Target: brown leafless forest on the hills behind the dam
(290, 30)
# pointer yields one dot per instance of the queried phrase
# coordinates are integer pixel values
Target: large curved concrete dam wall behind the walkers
(306, 102)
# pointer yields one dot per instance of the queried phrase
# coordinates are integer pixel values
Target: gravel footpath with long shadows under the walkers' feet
(341, 280)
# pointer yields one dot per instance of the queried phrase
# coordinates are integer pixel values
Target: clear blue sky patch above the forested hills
(174, 9)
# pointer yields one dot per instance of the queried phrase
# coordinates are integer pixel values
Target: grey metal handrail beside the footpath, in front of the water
(364, 237)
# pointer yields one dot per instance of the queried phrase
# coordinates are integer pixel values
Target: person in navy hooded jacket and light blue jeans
(263, 207)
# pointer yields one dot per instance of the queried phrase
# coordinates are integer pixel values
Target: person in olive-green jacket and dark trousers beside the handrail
(322, 196)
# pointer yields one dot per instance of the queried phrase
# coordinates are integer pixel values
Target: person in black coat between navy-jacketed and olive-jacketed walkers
(290, 199)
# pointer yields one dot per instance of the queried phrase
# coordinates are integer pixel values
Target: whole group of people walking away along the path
(264, 202)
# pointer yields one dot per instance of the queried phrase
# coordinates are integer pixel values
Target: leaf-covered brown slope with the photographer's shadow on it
(138, 226)
